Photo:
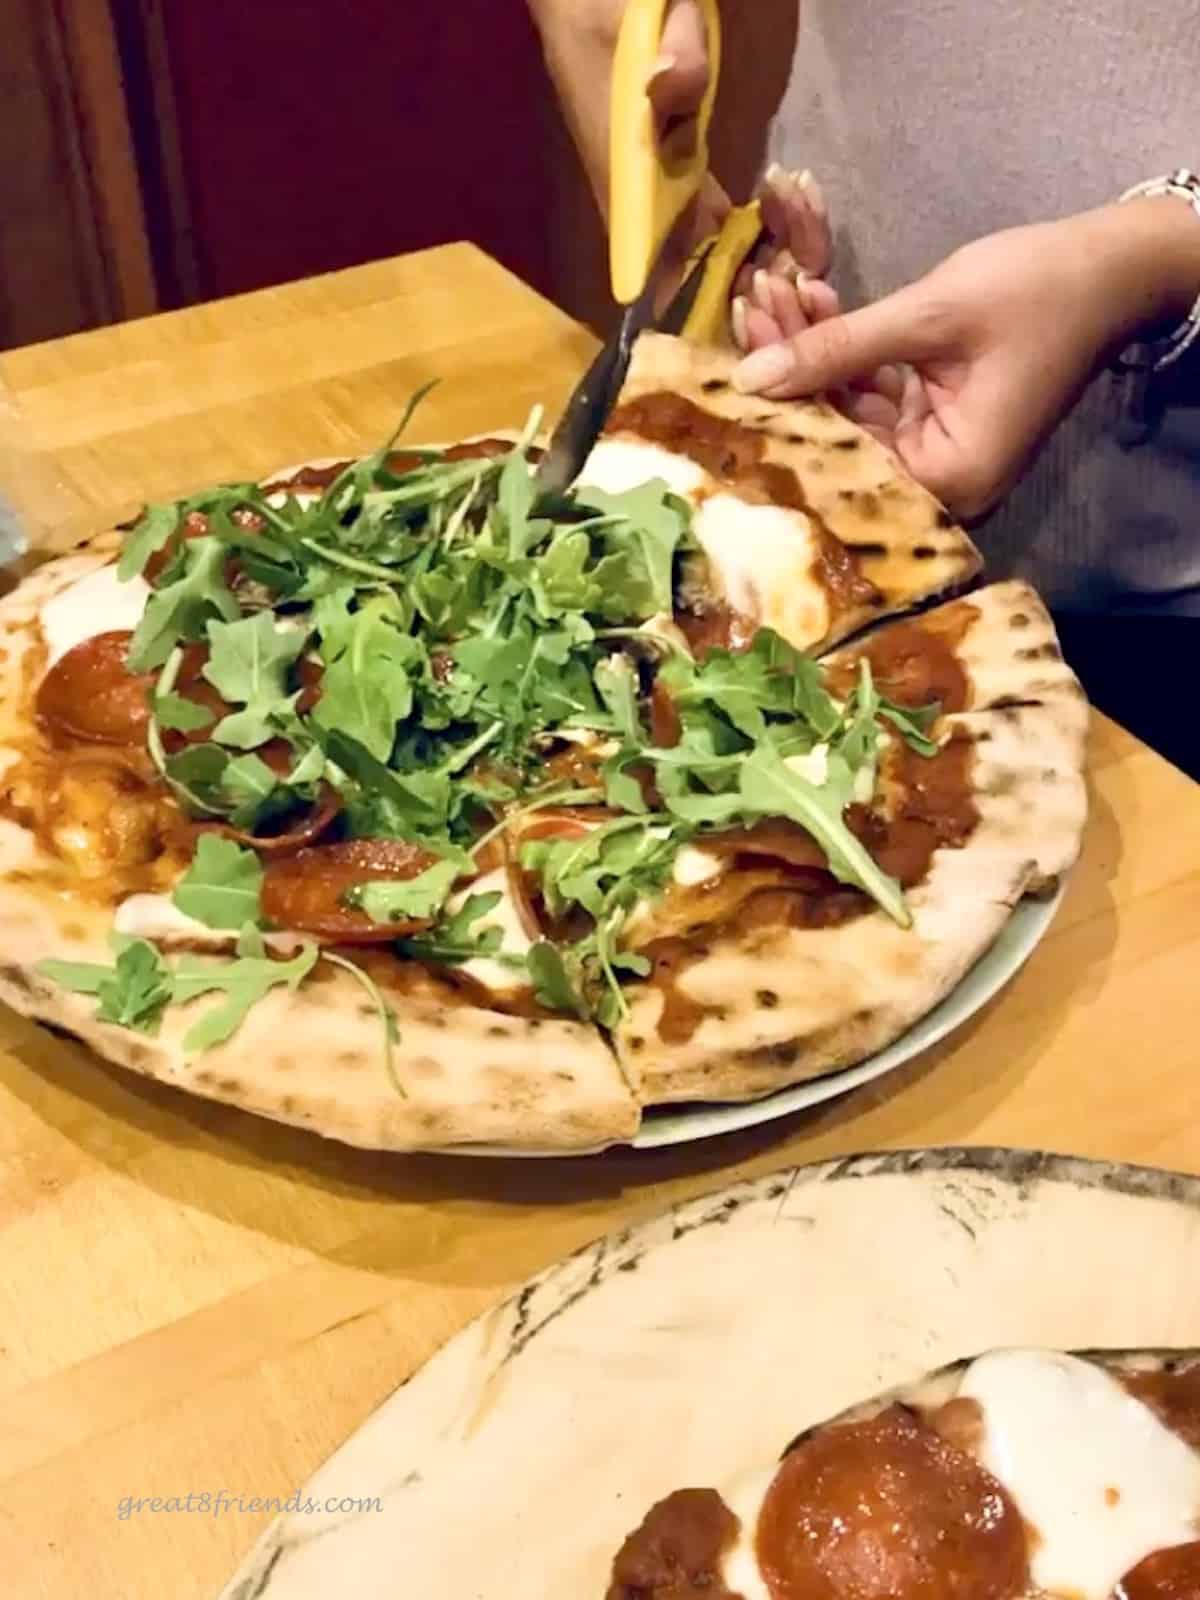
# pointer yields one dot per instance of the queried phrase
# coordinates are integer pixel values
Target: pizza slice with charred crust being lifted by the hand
(802, 521)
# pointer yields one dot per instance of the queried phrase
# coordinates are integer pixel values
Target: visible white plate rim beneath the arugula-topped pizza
(996, 967)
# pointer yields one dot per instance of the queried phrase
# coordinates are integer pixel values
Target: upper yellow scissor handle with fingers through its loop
(649, 190)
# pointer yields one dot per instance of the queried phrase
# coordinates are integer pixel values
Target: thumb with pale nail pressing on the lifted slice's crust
(844, 350)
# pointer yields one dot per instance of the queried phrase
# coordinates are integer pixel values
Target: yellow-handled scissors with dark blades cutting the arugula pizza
(650, 188)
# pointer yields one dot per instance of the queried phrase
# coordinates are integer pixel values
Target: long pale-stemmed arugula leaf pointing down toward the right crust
(769, 788)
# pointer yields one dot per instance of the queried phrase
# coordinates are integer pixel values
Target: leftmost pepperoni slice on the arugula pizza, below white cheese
(92, 695)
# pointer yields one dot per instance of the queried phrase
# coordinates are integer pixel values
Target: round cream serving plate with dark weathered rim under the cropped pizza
(697, 1346)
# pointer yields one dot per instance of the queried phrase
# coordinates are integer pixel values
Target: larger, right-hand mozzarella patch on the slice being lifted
(764, 558)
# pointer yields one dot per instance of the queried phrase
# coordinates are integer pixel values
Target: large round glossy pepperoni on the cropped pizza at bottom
(871, 1511)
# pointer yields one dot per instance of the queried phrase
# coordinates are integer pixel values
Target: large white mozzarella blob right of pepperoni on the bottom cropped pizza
(1092, 1470)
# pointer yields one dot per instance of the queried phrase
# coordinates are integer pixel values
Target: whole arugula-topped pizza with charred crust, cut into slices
(394, 801)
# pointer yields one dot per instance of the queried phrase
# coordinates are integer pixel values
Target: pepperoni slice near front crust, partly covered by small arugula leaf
(305, 892)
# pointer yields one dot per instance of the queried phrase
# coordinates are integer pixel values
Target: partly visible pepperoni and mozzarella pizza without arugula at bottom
(1015, 1476)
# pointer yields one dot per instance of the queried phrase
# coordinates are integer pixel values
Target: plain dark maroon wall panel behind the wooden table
(322, 134)
